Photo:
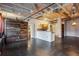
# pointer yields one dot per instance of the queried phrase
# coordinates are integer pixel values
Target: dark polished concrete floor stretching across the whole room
(36, 47)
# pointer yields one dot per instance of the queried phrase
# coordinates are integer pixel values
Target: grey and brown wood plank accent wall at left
(16, 30)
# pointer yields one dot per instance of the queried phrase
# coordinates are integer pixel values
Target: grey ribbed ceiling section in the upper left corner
(21, 9)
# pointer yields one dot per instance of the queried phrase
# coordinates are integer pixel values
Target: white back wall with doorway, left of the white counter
(34, 25)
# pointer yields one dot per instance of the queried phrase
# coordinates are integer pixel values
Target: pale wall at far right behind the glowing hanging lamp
(70, 30)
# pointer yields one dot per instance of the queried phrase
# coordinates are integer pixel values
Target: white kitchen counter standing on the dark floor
(45, 35)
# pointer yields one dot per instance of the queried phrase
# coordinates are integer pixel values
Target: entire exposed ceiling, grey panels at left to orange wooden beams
(39, 10)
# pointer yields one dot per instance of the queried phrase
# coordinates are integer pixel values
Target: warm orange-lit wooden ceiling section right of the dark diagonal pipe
(64, 11)
